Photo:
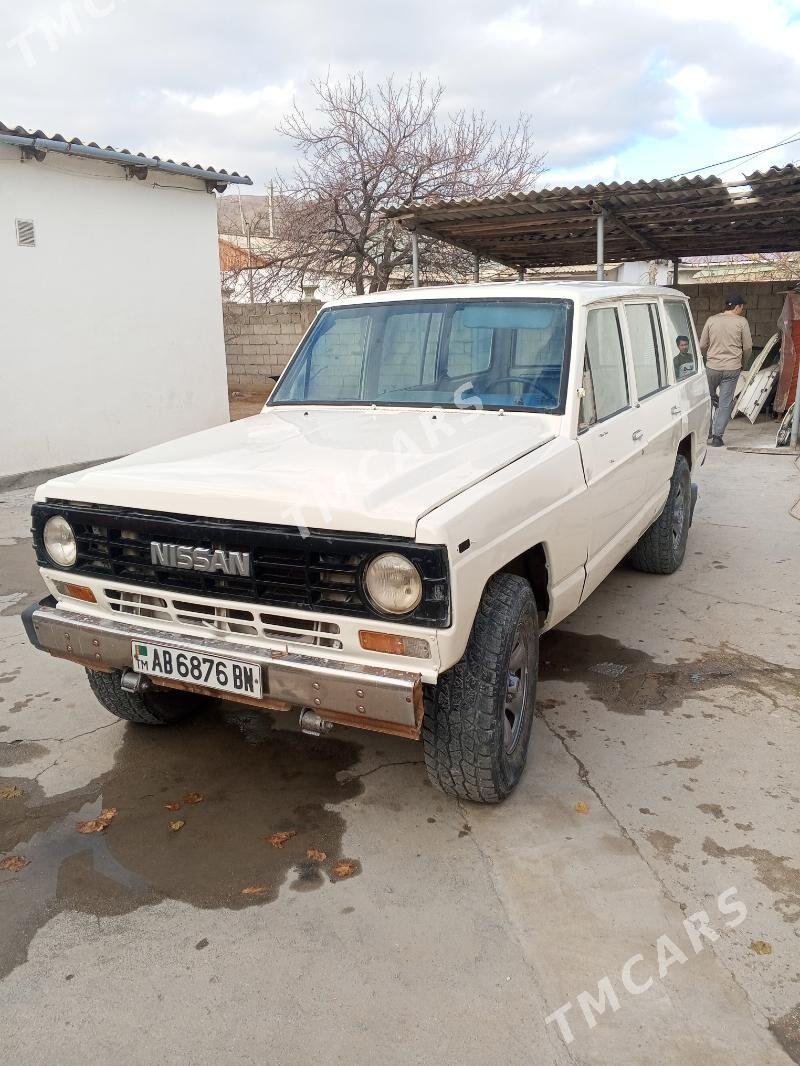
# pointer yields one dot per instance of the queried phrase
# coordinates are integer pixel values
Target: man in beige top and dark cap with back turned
(726, 345)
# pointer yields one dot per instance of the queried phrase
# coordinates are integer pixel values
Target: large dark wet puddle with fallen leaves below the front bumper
(255, 782)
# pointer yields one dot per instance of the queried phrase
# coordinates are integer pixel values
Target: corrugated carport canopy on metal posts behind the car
(643, 220)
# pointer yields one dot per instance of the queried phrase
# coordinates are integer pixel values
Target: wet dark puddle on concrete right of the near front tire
(630, 682)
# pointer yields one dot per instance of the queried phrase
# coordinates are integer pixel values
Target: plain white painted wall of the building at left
(111, 335)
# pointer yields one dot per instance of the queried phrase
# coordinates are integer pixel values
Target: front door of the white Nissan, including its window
(611, 440)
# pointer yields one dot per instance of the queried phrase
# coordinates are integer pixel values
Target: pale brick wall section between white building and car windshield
(260, 340)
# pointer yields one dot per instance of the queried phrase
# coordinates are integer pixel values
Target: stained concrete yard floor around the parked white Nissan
(663, 777)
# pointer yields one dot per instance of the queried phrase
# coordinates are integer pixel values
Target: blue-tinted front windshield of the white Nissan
(450, 353)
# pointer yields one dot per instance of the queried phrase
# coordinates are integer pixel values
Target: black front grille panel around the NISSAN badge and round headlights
(322, 572)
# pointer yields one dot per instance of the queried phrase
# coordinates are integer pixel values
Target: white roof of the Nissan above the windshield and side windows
(581, 293)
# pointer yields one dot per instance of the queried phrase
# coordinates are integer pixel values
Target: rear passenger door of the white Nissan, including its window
(658, 403)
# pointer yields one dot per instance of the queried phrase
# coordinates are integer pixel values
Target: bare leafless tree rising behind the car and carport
(371, 148)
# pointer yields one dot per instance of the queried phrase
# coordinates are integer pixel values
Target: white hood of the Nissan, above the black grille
(354, 470)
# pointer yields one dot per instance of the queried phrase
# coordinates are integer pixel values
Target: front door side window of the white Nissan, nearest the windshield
(605, 381)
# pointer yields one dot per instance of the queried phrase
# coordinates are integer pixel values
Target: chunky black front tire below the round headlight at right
(463, 731)
